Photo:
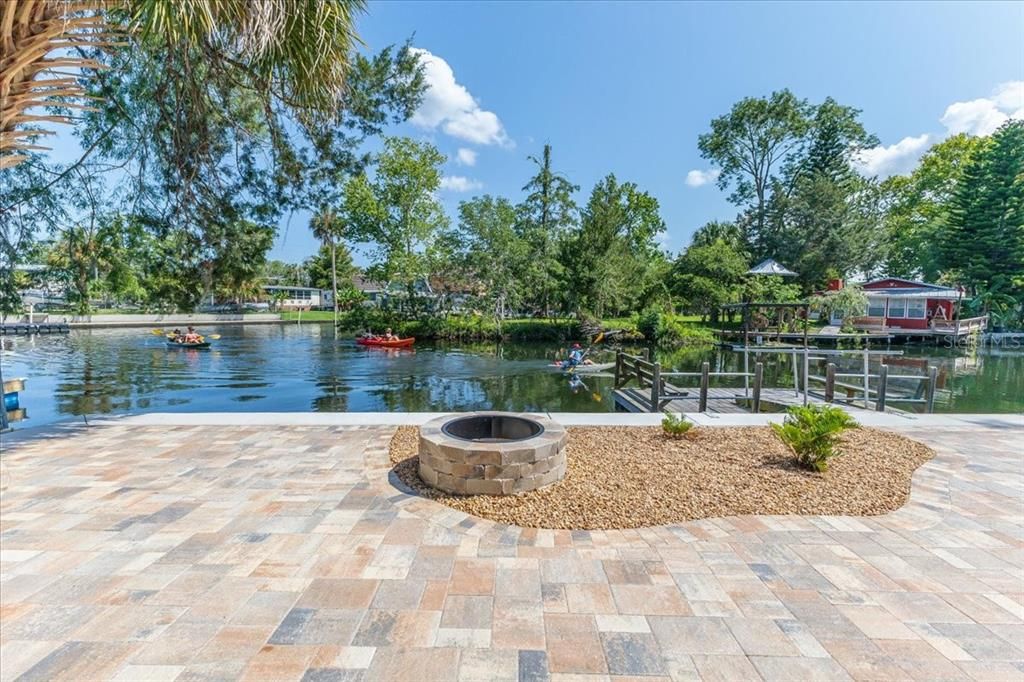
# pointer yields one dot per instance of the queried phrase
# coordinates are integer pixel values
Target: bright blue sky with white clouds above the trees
(628, 88)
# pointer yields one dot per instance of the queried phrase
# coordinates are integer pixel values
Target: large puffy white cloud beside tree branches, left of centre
(449, 106)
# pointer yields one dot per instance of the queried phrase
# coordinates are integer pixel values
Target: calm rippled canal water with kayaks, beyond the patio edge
(305, 369)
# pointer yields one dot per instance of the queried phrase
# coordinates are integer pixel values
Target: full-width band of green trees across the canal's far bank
(190, 173)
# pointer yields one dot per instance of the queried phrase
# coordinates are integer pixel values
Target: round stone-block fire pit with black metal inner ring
(492, 453)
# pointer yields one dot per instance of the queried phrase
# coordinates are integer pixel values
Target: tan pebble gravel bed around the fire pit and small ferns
(629, 478)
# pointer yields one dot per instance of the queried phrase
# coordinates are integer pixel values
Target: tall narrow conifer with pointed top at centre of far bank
(546, 215)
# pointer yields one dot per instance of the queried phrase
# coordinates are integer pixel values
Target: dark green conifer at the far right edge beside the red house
(985, 241)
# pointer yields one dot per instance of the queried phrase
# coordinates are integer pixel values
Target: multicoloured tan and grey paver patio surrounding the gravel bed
(283, 553)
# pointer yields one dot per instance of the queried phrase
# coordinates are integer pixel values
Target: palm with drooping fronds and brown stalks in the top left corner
(300, 50)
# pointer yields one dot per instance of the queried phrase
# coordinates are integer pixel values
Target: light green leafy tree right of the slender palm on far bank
(397, 212)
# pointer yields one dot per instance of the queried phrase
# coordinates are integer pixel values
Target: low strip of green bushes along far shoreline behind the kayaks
(661, 329)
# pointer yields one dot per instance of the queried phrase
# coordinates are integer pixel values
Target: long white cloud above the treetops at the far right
(975, 117)
